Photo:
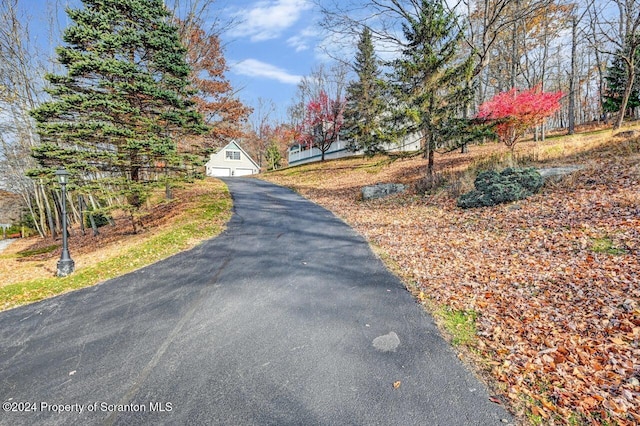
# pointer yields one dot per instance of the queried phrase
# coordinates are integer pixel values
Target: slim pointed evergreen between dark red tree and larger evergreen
(365, 104)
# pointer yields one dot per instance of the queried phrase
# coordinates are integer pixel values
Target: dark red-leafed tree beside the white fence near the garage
(322, 122)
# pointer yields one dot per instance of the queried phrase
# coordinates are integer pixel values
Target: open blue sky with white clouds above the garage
(270, 47)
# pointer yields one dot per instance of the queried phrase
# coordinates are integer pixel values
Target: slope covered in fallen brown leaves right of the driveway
(542, 294)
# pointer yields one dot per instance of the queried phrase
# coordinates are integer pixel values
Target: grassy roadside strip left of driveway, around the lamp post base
(198, 211)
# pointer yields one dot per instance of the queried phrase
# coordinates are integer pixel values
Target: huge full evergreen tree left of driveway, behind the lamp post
(115, 116)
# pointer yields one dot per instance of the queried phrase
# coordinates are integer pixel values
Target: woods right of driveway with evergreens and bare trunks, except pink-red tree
(583, 50)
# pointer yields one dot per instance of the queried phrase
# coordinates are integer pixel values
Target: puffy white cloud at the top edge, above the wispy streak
(267, 19)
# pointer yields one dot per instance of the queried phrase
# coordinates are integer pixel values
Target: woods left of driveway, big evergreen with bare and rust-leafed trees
(129, 107)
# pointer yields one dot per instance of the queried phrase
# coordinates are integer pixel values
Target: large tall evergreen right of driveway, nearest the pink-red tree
(431, 81)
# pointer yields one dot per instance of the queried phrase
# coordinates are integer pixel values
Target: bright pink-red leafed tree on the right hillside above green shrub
(515, 111)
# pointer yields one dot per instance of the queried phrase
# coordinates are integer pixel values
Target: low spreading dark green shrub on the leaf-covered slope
(493, 188)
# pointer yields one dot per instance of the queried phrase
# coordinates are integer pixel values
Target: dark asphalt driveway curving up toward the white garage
(287, 318)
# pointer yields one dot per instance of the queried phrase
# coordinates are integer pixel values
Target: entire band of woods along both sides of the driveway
(147, 110)
